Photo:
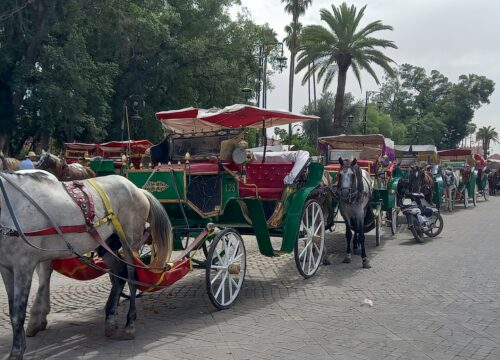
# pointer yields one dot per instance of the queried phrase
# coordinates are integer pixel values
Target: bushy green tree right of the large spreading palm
(434, 109)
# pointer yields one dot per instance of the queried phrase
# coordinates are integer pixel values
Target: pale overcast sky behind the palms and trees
(454, 37)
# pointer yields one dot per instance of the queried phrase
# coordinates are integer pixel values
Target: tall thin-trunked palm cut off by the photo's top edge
(296, 8)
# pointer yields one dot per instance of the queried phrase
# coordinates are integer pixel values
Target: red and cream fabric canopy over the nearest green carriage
(192, 120)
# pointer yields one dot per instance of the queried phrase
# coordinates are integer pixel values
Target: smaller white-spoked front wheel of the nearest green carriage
(226, 268)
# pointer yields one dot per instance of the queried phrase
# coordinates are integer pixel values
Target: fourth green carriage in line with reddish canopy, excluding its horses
(462, 162)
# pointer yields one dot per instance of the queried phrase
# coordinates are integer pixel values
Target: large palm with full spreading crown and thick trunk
(341, 46)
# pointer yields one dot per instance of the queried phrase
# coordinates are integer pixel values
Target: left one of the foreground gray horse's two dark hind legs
(117, 284)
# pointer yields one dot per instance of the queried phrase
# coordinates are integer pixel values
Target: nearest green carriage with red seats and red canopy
(215, 190)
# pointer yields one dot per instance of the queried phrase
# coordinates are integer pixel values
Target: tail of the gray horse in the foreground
(161, 231)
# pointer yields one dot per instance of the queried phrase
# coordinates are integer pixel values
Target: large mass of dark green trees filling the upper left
(71, 68)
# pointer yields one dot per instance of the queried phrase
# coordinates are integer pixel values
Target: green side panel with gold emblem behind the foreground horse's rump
(161, 184)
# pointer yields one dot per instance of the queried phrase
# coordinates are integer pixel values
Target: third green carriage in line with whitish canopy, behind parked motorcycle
(425, 156)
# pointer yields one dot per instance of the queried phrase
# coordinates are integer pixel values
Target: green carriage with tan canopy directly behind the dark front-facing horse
(370, 151)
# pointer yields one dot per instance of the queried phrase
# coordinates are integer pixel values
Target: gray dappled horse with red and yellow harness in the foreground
(133, 208)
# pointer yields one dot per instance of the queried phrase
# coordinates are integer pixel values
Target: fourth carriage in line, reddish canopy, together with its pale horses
(460, 176)
